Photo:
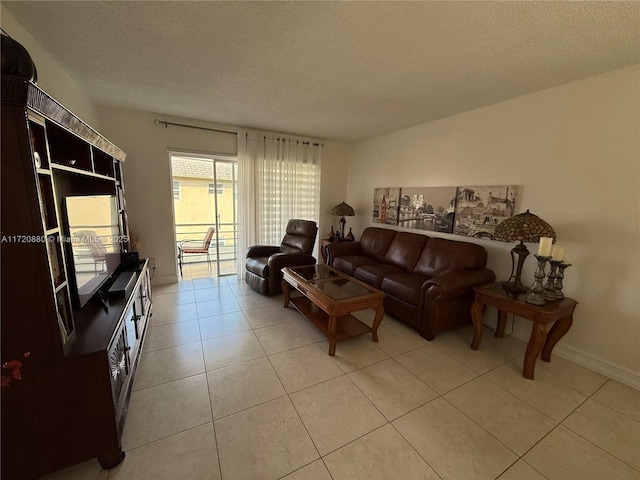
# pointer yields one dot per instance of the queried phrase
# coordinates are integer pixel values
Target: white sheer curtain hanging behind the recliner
(279, 179)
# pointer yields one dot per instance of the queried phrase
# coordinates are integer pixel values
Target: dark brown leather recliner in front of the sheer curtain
(264, 263)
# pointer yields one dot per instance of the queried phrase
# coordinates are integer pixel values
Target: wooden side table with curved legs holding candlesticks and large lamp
(540, 342)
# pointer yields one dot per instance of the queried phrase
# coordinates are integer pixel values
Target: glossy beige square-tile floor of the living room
(232, 386)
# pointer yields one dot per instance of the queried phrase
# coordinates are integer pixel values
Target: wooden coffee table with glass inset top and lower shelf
(328, 299)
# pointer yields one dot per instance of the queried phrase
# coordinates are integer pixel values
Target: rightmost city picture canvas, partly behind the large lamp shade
(480, 209)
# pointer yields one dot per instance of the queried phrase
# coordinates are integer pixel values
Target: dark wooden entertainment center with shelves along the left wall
(68, 402)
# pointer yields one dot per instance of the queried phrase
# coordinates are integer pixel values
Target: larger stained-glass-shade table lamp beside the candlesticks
(525, 227)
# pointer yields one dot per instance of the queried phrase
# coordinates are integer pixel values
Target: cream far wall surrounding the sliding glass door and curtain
(147, 174)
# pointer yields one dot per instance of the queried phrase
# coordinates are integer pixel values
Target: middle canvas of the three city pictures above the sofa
(428, 208)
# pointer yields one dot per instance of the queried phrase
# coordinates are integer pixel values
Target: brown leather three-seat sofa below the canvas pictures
(428, 282)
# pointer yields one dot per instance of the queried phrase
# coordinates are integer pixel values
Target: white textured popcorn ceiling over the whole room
(344, 71)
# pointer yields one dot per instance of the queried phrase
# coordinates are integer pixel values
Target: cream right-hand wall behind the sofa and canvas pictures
(574, 150)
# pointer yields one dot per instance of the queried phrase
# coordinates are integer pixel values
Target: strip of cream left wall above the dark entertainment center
(51, 77)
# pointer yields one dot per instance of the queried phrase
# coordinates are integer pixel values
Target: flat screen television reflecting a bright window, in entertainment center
(93, 239)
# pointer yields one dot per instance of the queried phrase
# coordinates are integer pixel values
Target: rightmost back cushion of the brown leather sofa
(442, 256)
